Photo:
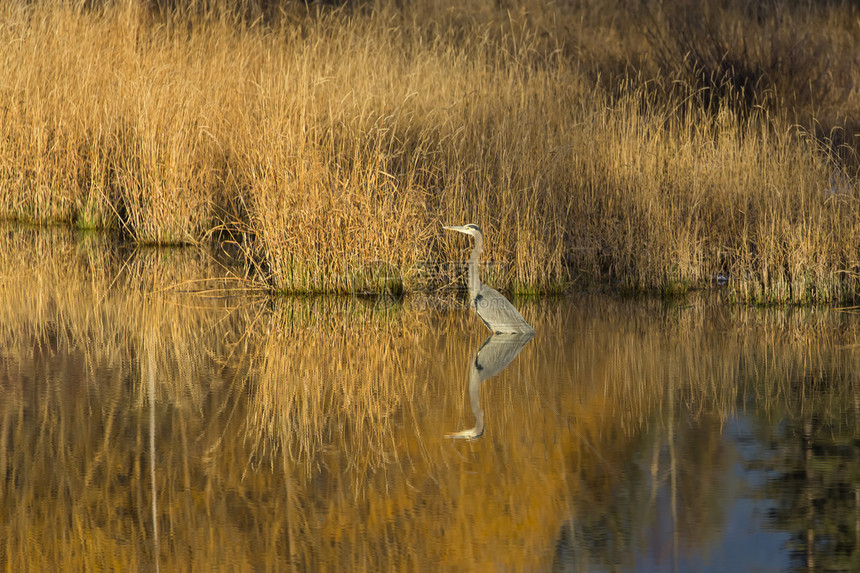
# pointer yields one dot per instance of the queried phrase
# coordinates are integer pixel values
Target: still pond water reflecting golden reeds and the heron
(156, 415)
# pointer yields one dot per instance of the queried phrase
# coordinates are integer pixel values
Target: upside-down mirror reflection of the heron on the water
(497, 351)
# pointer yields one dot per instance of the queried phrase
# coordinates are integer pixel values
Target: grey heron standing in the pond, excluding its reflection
(496, 311)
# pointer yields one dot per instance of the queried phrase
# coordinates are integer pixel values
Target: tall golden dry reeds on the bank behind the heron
(658, 146)
